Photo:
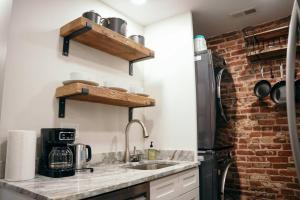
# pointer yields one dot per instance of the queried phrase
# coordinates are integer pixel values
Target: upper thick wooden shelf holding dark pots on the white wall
(106, 40)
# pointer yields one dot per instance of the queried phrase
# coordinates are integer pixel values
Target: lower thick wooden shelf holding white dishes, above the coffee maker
(103, 95)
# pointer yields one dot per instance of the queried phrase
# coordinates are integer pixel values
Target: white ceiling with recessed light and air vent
(210, 17)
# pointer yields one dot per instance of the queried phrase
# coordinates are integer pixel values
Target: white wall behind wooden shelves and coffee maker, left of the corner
(35, 67)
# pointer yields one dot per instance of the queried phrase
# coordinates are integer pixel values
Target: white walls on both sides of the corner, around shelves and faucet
(35, 68)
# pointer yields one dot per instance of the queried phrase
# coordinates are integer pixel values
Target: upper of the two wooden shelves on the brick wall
(269, 34)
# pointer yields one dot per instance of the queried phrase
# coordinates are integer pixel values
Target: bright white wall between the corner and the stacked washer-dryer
(170, 79)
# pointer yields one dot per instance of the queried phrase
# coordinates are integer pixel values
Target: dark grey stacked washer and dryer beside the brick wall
(214, 147)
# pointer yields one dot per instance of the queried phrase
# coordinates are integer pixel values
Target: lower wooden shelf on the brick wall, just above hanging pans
(271, 53)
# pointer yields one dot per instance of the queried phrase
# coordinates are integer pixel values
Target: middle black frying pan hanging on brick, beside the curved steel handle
(278, 91)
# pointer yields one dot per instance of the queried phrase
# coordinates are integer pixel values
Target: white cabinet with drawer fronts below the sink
(176, 186)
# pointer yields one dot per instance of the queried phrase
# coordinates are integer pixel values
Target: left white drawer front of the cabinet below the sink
(165, 188)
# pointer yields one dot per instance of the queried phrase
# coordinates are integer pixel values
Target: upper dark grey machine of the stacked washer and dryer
(210, 74)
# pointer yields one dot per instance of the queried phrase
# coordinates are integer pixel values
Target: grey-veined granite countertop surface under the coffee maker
(106, 178)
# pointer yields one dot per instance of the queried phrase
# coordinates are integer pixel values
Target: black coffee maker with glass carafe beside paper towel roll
(57, 158)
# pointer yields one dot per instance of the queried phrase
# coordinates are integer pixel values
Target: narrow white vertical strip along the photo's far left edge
(5, 11)
